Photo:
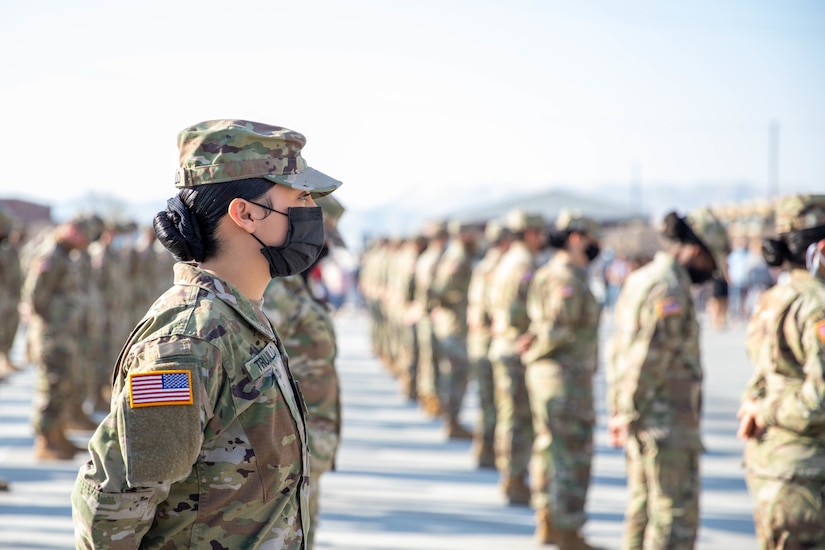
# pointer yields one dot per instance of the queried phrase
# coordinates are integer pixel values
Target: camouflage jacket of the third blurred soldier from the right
(564, 316)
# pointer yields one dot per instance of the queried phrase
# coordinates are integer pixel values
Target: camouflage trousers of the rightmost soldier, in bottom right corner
(788, 514)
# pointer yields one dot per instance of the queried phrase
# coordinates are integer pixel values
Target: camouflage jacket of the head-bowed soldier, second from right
(654, 365)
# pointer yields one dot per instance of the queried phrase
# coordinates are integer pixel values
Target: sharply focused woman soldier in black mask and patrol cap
(206, 445)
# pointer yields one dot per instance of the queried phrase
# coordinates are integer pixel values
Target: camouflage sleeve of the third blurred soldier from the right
(554, 305)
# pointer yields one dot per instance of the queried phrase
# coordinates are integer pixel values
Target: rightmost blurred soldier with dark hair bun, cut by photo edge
(782, 415)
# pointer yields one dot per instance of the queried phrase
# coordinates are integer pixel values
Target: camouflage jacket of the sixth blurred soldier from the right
(449, 290)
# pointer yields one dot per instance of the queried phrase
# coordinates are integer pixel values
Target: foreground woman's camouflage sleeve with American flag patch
(147, 443)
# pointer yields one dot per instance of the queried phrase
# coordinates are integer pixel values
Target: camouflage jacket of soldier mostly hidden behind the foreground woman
(308, 334)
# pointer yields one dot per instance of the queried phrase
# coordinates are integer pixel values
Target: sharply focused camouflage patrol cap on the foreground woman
(218, 151)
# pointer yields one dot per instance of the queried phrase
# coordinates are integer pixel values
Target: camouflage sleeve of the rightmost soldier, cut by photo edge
(800, 406)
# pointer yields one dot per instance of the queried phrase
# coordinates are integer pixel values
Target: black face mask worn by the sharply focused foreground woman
(304, 241)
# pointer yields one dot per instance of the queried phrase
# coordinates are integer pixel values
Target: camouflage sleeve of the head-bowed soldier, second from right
(645, 363)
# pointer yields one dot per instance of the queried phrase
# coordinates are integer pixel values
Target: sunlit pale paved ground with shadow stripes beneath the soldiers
(399, 484)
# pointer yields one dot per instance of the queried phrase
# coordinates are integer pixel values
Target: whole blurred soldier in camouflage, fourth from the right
(508, 309)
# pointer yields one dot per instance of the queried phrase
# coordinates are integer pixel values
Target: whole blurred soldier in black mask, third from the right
(560, 355)
